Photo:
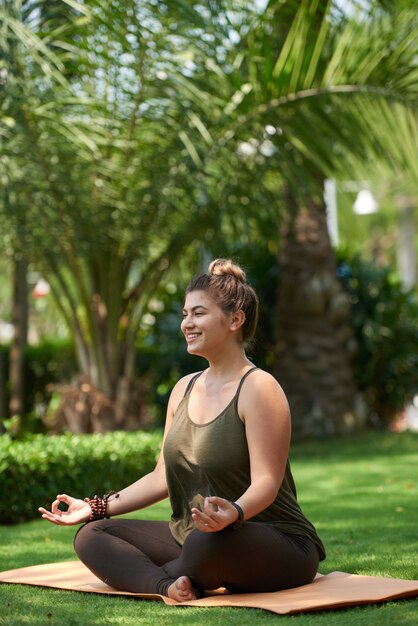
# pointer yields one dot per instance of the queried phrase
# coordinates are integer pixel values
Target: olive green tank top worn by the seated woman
(212, 459)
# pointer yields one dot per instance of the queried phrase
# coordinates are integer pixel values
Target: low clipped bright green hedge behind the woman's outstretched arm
(34, 470)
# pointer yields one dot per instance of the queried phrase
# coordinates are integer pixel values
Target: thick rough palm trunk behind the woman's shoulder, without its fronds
(314, 340)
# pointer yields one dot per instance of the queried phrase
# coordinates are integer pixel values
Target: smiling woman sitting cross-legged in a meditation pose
(224, 464)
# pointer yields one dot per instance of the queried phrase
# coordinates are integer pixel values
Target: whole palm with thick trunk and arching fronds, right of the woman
(310, 92)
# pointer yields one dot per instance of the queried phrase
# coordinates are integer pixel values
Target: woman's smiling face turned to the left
(205, 326)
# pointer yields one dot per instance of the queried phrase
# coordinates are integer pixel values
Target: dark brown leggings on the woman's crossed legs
(143, 557)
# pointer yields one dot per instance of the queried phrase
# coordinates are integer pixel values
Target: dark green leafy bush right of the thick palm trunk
(384, 317)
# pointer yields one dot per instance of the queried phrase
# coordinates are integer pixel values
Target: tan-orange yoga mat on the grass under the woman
(330, 591)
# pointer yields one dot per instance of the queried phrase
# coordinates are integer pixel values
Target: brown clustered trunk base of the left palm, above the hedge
(106, 395)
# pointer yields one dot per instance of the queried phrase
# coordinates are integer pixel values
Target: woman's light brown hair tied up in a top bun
(226, 283)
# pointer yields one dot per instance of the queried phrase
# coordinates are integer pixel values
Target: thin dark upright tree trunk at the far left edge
(19, 342)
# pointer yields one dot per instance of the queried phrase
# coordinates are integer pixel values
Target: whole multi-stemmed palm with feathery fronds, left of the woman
(100, 178)
